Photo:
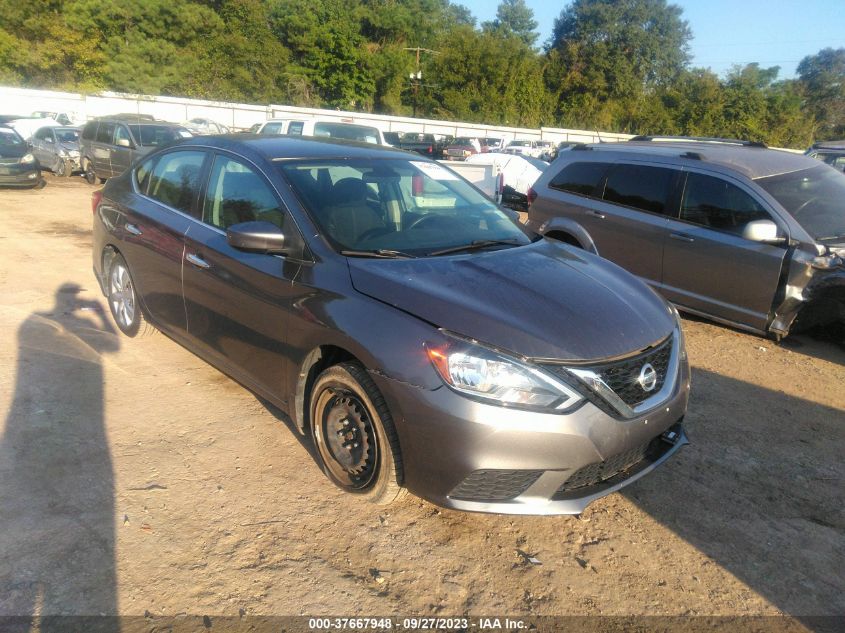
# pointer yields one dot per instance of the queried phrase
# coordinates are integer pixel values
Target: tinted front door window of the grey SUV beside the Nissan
(717, 204)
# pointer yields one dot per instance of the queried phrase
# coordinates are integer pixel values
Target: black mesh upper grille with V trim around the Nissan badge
(622, 376)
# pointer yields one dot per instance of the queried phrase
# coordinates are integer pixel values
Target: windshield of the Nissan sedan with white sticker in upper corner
(414, 207)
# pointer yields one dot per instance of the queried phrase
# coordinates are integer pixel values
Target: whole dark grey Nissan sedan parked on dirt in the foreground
(420, 336)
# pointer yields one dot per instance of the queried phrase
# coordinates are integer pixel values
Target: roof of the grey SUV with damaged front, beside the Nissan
(753, 161)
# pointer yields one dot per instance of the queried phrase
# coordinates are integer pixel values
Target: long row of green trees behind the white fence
(615, 65)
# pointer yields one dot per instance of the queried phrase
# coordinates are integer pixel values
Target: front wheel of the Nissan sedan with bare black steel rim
(354, 434)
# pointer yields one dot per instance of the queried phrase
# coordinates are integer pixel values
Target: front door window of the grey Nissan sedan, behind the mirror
(237, 194)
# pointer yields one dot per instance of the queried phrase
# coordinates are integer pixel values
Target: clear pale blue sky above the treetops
(727, 32)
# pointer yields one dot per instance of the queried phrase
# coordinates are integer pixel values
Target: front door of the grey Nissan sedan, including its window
(238, 303)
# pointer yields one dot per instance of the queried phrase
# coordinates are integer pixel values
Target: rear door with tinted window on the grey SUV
(629, 221)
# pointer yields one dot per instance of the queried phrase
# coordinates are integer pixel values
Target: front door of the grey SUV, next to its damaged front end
(708, 266)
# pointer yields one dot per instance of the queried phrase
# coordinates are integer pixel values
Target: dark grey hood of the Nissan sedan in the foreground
(545, 300)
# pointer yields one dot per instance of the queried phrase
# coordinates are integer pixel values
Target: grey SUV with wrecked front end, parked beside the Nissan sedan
(730, 230)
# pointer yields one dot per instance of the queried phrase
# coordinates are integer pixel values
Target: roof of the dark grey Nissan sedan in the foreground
(289, 148)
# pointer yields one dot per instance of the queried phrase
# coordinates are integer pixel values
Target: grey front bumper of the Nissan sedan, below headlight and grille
(467, 455)
